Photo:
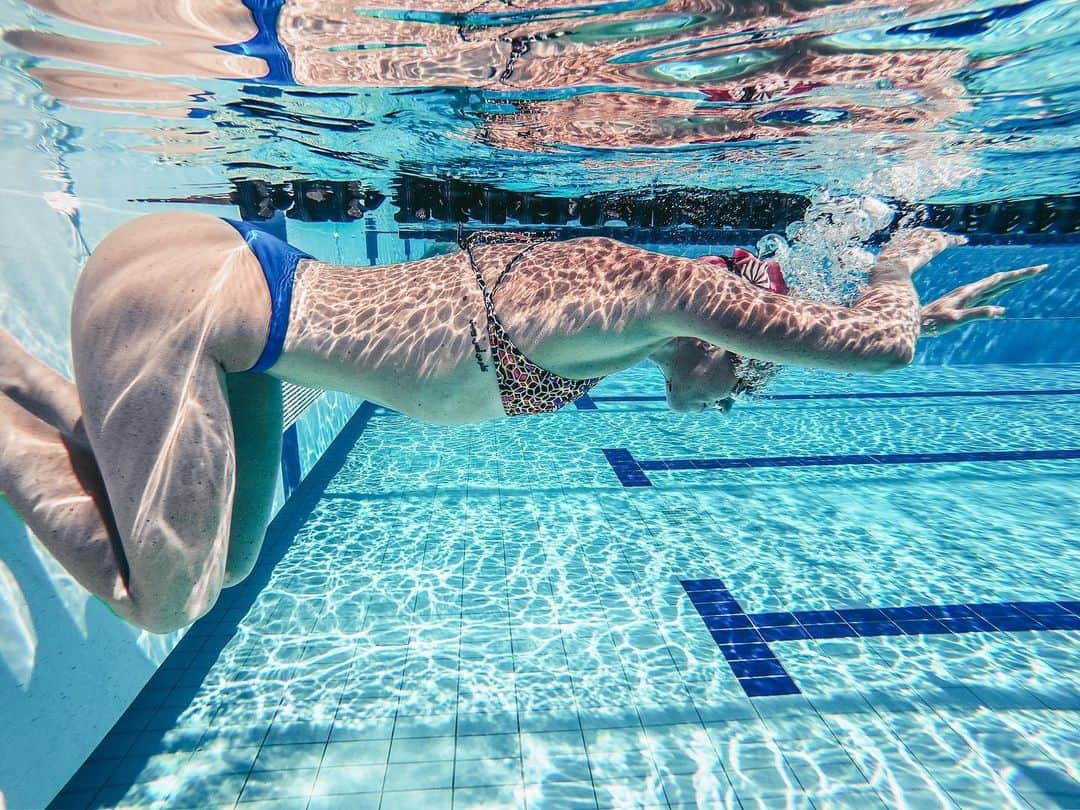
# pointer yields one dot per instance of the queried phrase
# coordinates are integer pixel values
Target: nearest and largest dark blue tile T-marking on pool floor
(745, 639)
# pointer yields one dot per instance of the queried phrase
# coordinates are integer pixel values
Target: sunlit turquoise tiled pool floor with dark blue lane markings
(495, 616)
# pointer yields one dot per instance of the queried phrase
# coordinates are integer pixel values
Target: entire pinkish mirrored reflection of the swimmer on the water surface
(759, 60)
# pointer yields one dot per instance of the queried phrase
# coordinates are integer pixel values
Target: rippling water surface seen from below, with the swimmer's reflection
(958, 100)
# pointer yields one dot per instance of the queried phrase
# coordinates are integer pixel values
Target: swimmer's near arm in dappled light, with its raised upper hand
(879, 333)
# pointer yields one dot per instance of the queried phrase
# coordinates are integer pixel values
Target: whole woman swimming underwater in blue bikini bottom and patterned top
(152, 478)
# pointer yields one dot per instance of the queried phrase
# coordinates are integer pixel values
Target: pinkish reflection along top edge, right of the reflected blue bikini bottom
(679, 45)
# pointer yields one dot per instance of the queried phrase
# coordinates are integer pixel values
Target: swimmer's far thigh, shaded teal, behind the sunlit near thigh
(255, 406)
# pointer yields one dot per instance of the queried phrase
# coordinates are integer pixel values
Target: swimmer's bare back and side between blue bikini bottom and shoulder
(414, 336)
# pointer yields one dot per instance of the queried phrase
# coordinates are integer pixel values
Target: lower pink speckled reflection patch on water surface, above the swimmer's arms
(776, 107)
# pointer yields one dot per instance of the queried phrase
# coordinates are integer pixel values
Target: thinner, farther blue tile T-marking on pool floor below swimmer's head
(632, 472)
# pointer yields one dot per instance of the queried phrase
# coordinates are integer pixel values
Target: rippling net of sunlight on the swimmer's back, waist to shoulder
(415, 319)
